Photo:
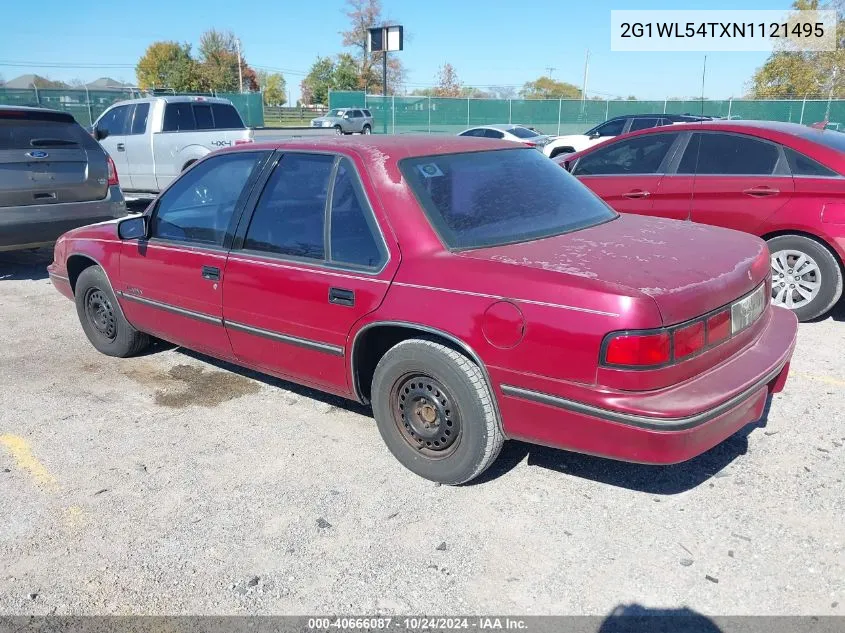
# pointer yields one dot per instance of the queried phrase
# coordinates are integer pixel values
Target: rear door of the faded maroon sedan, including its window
(309, 263)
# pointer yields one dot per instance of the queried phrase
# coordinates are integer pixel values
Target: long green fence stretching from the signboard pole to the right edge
(409, 115)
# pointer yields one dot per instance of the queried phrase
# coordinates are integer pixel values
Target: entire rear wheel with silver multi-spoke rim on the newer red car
(806, 277)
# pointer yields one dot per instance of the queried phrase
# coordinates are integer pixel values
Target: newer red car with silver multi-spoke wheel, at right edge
(780, 181)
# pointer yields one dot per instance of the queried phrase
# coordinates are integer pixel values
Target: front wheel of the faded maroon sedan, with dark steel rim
(101, 316)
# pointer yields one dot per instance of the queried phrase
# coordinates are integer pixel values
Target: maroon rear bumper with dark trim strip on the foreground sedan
(644, 435)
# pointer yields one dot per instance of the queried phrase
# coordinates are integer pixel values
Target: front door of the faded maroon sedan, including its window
(171, 282)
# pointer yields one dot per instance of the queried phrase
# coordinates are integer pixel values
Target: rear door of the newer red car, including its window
(739, 180)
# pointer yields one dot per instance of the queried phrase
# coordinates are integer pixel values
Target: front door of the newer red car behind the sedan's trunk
(627, 173)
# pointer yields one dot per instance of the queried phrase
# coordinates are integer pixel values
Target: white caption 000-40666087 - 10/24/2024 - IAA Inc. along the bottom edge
(417, 623)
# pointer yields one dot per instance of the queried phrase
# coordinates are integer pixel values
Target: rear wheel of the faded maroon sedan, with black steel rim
(450, 390)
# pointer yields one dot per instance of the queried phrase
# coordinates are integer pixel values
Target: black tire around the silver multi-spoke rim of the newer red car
(829, 274)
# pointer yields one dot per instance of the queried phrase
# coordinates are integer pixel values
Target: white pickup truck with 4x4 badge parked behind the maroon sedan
(153, 140)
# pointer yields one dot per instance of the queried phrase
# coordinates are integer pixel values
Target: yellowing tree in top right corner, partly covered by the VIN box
(798, 74)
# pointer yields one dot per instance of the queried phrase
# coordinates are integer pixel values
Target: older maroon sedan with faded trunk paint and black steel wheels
(469, 289)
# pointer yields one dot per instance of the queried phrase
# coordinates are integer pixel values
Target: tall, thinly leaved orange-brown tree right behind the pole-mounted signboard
(364, 15)
